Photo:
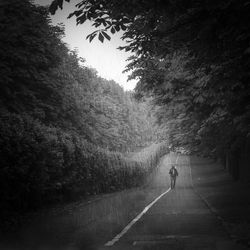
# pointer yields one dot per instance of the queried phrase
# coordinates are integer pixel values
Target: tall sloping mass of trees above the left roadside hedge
(45, 80)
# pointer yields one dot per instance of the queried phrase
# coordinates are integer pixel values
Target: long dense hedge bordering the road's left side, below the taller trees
(41, 164)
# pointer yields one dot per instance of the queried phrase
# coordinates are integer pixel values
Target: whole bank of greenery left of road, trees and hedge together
(63, 129)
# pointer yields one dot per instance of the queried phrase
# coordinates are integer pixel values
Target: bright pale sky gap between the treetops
(104, 57)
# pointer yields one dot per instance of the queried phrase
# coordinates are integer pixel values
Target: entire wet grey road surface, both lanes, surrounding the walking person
(154, 217)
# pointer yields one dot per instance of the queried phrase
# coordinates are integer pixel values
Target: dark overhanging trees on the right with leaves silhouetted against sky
(193, 59)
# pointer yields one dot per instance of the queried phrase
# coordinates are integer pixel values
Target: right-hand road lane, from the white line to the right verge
(179, 220)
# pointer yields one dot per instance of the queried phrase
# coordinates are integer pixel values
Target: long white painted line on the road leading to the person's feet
(118, 236)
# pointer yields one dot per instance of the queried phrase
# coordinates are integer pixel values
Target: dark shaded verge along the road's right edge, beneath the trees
(230, 200)
